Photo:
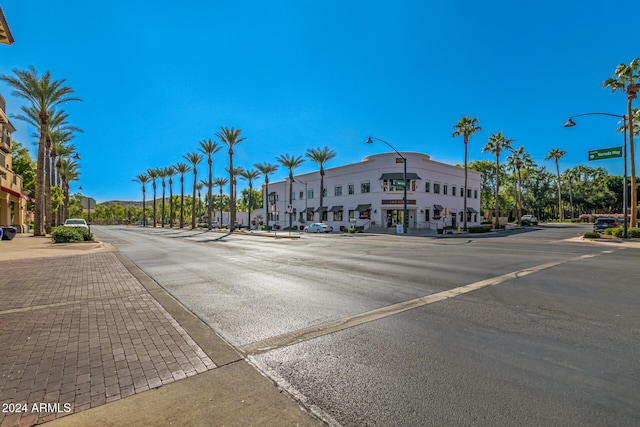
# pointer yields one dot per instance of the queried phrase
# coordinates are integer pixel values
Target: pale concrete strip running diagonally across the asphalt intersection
(315, 331)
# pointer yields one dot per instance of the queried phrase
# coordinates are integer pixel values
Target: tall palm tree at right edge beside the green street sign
(624, 78)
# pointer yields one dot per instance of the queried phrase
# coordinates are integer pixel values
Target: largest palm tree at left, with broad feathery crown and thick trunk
(44, 94)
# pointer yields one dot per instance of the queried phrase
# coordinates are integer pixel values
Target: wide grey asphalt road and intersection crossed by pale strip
(524, 328)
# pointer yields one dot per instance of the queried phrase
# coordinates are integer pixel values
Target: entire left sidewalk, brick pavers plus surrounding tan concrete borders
(86, 338)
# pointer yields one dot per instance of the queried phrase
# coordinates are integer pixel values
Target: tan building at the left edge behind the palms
(13, 201)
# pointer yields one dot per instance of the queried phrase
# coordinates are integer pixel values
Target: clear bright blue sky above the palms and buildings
(298, 74)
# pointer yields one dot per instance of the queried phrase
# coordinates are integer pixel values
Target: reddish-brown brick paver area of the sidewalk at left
(79, 331)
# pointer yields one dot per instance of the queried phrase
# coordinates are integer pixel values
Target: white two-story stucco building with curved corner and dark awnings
(370, 194)
